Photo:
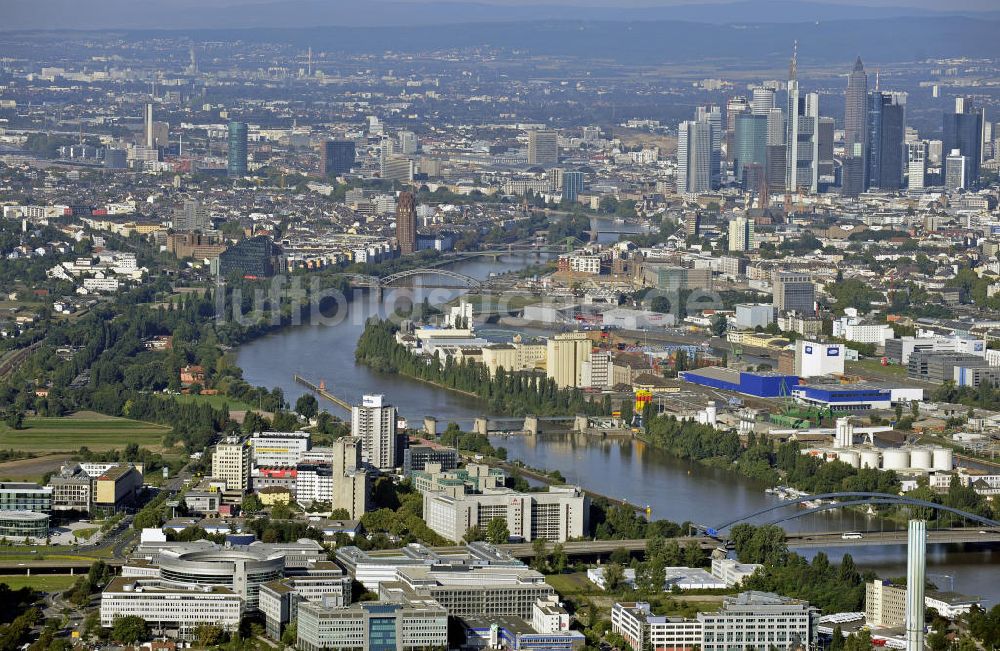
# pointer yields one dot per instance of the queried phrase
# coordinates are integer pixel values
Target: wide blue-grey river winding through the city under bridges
(673, 488)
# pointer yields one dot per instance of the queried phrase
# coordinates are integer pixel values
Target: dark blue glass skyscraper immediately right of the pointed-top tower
(886, 129)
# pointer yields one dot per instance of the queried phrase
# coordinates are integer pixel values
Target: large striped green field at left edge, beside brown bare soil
(96, 431)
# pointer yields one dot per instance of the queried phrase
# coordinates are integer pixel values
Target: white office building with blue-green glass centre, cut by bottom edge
(372, 626)
